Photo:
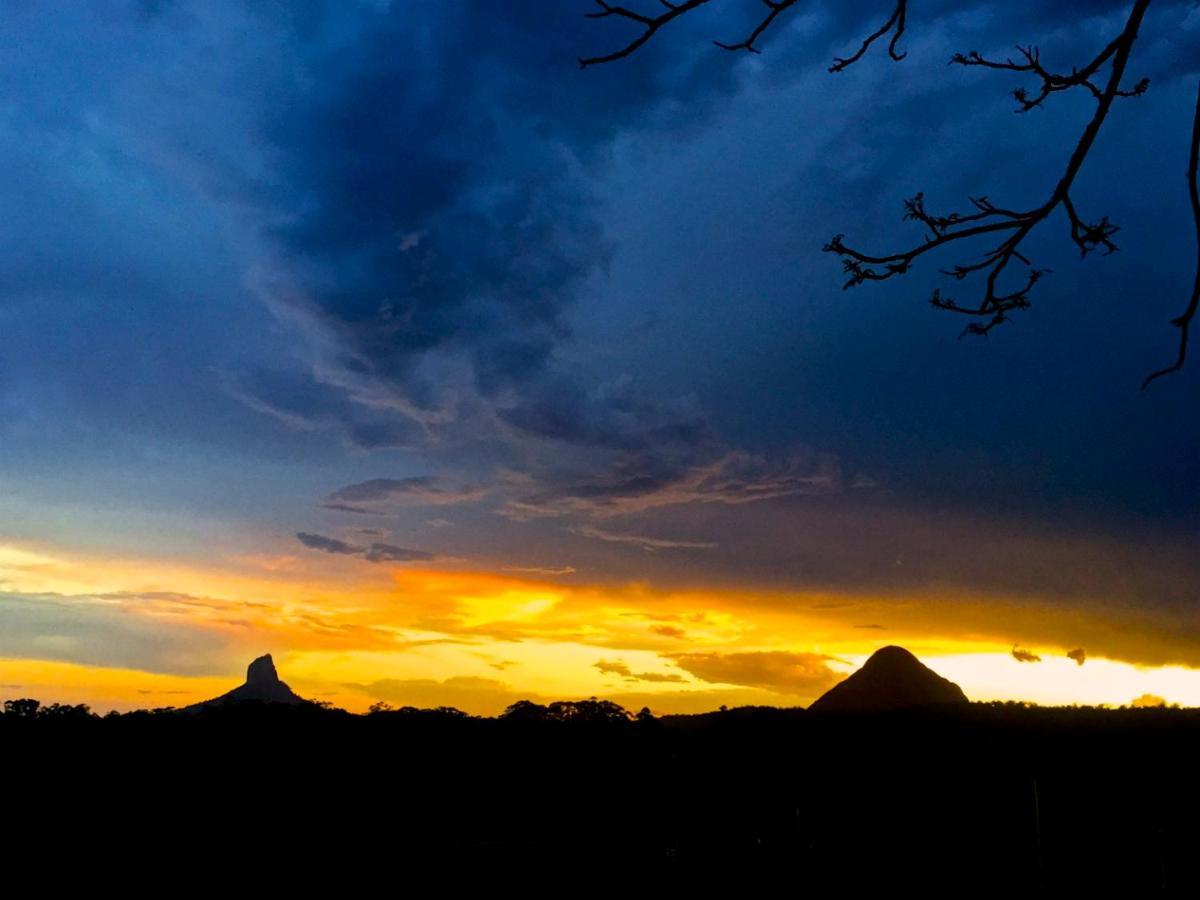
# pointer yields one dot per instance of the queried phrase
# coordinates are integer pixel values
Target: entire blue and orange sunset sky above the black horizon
(383, 338)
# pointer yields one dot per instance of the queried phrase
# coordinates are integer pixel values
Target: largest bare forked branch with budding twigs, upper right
(1013, 227)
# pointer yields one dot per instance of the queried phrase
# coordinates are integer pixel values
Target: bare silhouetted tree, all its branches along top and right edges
(1007, 273)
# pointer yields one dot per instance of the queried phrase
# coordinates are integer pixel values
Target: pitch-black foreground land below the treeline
(982, 800)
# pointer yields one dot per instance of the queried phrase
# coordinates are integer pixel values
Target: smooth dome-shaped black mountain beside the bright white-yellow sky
(891, 680)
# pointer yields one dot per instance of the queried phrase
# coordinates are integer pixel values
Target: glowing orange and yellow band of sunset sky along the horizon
(351, 634)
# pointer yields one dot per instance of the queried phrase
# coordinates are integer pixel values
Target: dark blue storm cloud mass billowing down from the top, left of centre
(435, 214)
